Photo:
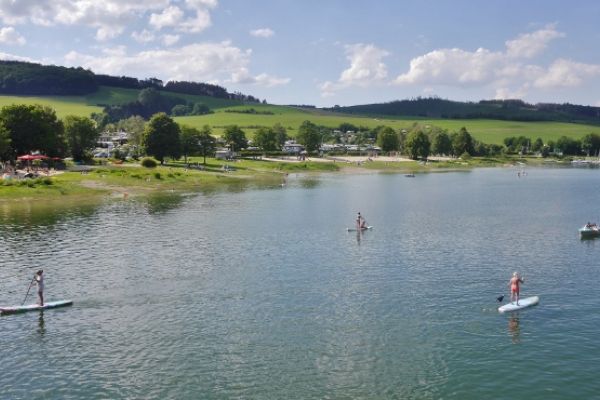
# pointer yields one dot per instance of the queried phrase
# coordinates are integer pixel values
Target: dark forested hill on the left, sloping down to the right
(23, 78)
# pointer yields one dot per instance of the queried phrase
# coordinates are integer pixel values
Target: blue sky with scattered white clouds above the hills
(324, 52)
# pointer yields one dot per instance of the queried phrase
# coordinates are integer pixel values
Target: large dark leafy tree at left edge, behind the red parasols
(34, 127)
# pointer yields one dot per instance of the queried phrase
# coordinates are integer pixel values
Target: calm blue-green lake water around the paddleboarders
(261, 293)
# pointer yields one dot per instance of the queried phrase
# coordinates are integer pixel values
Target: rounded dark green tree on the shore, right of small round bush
(161, 137)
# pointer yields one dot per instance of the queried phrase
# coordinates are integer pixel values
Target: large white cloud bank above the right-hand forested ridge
(509, 73)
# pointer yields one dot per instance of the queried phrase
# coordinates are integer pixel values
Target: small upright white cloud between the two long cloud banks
(366, 69)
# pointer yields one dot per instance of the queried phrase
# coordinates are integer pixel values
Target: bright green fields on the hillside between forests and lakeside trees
(487, 131)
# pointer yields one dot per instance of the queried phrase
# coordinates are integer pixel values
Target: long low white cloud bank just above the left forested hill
(207, 62)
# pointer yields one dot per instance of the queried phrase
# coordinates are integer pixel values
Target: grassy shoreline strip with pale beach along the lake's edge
(131, 180)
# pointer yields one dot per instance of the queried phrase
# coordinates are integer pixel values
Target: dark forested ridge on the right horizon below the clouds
(511, 110)
